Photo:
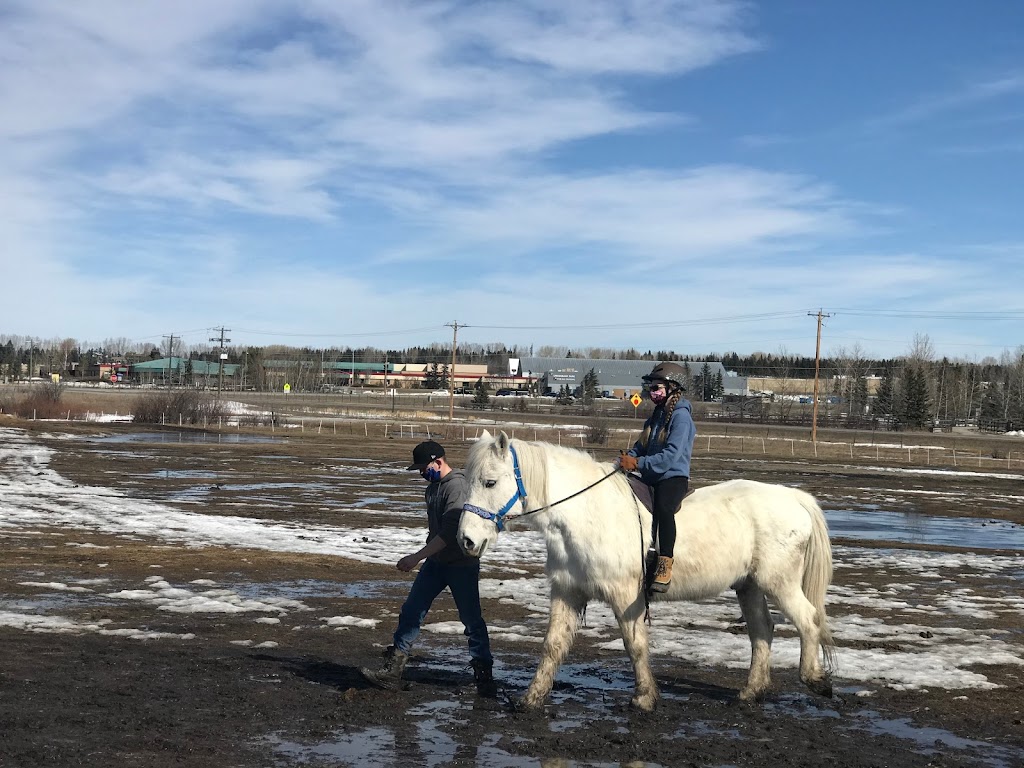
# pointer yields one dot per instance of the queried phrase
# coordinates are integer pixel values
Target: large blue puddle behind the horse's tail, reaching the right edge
(911, 528)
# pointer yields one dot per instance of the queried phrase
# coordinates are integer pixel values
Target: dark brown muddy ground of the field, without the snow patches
(220, 701)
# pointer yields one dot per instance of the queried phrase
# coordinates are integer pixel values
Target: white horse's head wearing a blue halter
(495, 488)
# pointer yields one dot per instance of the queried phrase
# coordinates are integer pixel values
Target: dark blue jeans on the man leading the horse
(431, 582)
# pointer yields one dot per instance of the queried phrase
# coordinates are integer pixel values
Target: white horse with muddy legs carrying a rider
(751, 537)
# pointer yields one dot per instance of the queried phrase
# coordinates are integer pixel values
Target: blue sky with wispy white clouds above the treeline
(696, 177)
